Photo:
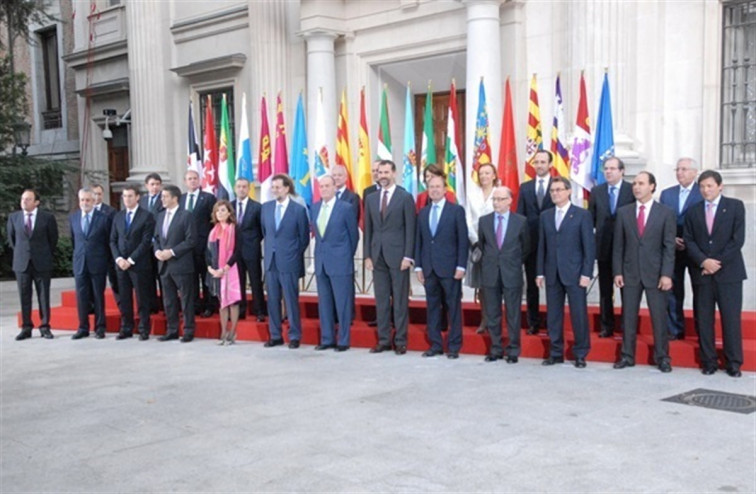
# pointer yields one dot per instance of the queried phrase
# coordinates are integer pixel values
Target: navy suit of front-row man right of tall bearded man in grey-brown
(438, 257)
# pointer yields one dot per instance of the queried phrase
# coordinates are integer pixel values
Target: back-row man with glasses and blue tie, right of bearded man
(603, 204)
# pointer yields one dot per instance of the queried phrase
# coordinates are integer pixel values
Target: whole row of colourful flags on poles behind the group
(581, 160)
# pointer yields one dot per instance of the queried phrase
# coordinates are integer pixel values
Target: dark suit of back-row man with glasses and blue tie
(603, 220)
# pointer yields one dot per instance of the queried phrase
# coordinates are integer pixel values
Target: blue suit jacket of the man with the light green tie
(334, 251)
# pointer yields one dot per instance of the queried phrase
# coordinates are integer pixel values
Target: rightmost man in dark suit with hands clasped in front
(714, 237)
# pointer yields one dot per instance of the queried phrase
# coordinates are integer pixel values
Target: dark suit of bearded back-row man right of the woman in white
(527, 205)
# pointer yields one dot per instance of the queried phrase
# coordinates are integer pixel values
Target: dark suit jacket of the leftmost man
(37, 249)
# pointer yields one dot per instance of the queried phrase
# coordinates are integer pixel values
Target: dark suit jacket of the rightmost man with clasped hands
(725, 243)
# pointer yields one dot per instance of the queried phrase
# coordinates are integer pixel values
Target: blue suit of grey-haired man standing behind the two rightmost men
(670, 197)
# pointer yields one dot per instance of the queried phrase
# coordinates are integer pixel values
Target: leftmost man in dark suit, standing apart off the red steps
(33, 236)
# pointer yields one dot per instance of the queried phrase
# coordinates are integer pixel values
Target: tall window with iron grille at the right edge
(738, 138)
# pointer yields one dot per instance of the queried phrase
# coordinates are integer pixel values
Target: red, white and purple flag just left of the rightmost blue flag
(580, 154)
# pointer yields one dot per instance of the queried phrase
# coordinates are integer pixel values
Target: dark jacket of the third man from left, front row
(136, 244)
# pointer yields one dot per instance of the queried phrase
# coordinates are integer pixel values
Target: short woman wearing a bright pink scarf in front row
(223, 248)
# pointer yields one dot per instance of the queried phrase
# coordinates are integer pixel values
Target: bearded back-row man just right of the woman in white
(533, 200)
